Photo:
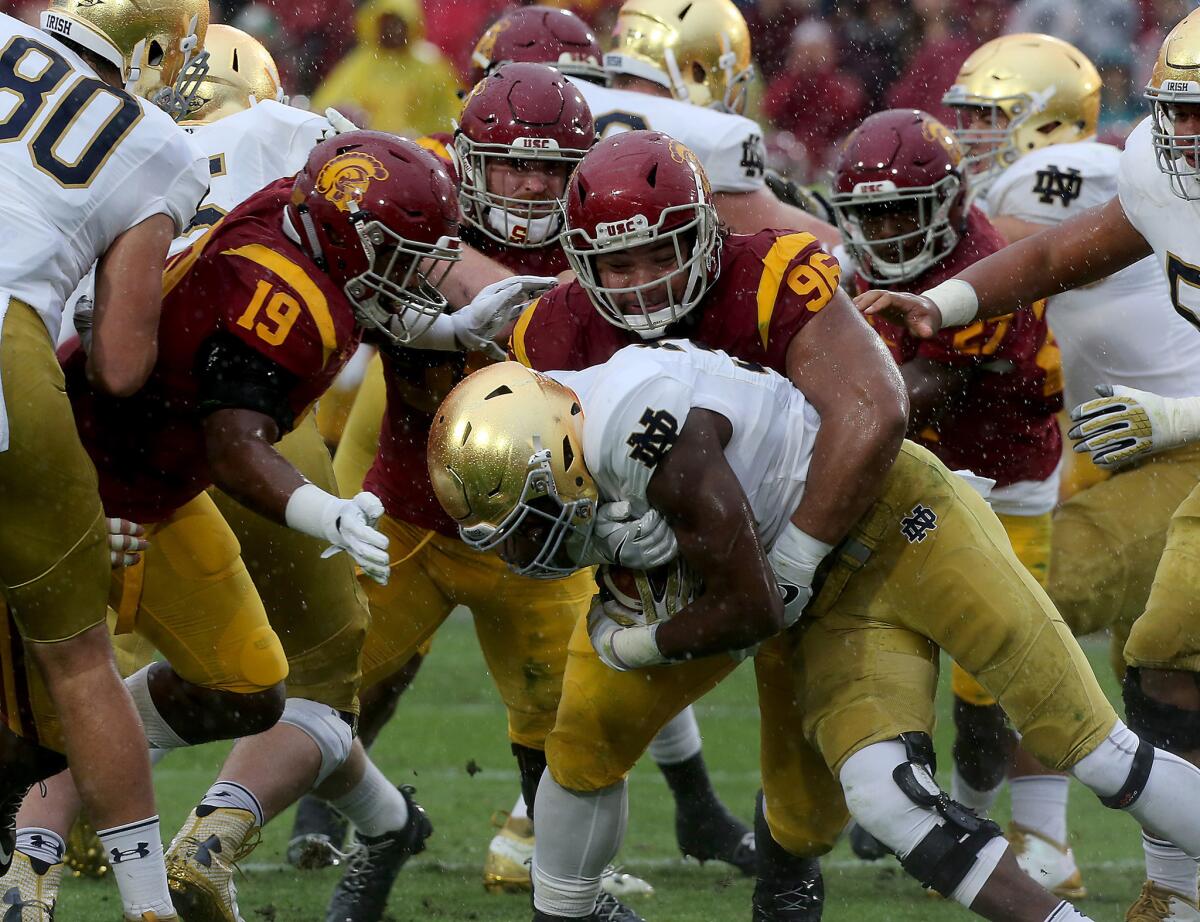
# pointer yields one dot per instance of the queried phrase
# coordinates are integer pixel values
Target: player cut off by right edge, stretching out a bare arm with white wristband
(1154, 212)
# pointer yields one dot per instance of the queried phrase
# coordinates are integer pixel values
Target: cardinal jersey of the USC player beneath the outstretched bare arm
(1004, 428)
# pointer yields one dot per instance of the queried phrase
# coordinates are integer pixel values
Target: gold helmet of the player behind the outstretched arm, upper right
(1039, 91)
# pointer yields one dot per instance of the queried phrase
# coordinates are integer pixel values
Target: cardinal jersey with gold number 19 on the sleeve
(248, 322)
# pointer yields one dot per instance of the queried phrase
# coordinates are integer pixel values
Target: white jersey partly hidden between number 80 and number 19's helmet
(247, 152)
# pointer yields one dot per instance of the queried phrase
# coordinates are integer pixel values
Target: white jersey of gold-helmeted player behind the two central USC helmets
(730, 147)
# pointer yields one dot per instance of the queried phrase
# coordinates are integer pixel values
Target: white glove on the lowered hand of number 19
(349, 525)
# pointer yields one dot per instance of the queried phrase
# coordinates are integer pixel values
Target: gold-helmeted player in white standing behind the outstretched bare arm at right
(1028, 107)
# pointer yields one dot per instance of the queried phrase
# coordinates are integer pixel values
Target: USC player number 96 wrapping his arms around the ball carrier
(652, 260)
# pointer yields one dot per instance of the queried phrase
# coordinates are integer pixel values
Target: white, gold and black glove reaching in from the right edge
(1125, 424)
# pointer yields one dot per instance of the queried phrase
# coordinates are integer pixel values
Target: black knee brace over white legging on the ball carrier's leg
(892, 794)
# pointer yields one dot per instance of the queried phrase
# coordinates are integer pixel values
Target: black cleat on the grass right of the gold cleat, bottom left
(362, 895)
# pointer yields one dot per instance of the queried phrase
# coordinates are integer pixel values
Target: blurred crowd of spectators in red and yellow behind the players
(824, 65)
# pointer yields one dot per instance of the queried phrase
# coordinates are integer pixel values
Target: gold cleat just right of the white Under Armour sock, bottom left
(202, 860)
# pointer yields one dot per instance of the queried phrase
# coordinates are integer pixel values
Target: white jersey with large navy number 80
(91, 163)
